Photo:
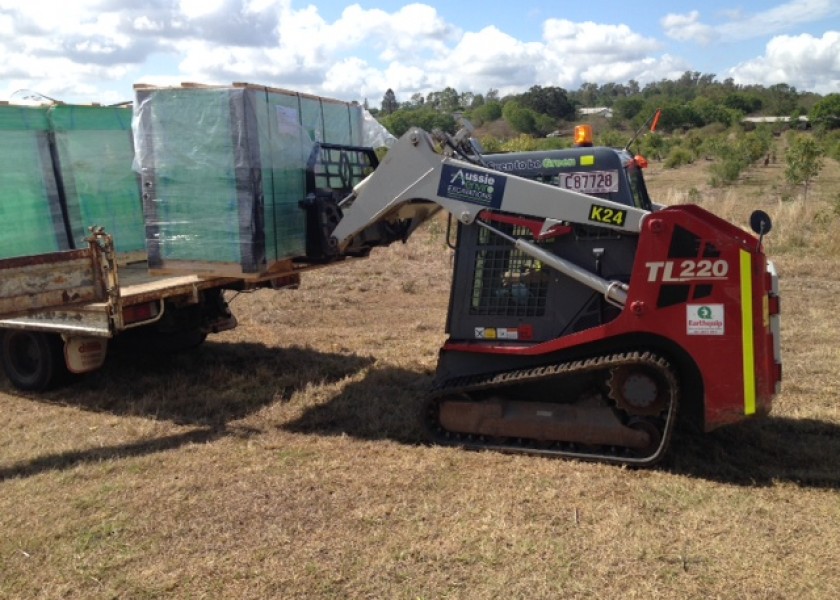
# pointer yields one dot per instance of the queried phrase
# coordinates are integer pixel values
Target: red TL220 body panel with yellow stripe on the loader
(712, 300)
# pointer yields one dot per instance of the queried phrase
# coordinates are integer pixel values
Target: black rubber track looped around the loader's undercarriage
(607, 454)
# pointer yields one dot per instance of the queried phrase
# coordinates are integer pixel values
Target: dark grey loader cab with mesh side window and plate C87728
(501, 291)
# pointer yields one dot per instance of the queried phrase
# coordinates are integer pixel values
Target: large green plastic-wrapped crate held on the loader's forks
(223, 174)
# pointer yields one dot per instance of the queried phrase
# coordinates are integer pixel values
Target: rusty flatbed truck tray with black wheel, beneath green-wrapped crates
(61, 310)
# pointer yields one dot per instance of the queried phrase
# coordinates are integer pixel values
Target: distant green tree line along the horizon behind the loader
(694, 100)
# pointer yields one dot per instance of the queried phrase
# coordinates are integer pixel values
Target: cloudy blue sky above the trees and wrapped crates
(95, 50)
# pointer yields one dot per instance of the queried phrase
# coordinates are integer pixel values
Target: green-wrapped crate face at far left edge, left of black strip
(31, 216)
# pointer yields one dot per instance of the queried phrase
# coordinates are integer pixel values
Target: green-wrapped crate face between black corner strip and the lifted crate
(94, 154)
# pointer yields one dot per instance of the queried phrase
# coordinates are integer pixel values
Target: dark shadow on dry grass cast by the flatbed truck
(206, 388)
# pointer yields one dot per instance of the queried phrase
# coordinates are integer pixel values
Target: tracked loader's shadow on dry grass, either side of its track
(388, 404)
